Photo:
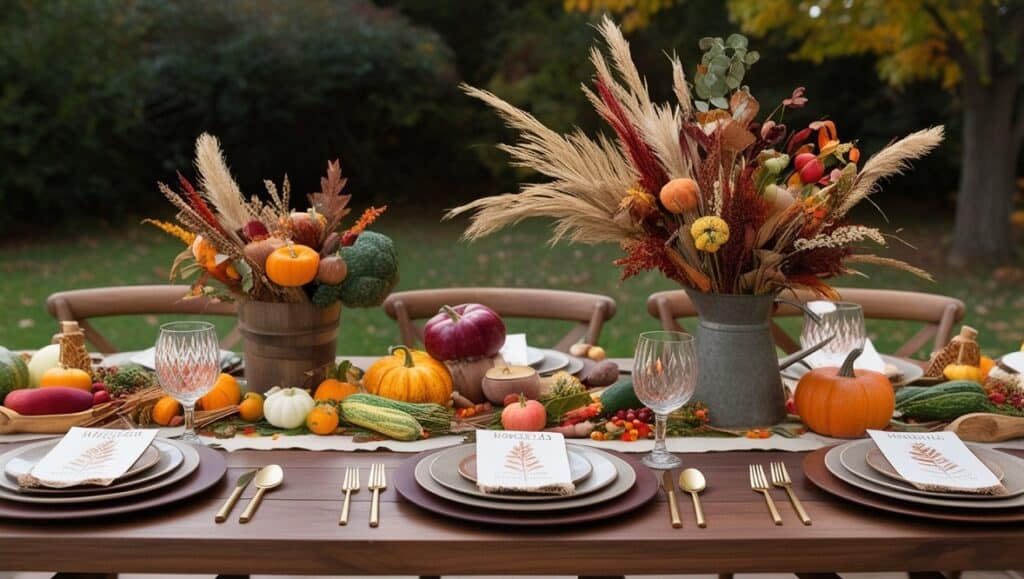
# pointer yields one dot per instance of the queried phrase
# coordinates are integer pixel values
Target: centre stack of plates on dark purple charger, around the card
(606, 485)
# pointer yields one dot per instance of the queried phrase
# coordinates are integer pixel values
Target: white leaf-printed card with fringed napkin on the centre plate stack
(511, 462)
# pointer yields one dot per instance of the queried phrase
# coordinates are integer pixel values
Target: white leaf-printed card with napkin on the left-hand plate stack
(90, 457)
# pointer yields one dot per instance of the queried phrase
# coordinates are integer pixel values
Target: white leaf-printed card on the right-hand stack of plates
(936, 462)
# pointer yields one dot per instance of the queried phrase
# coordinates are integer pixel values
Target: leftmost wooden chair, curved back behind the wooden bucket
(83, 305)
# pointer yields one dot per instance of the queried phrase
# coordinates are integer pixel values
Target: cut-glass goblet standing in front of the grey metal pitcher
(665, 376)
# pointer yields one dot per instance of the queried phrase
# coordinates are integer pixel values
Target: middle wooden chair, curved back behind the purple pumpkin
(589, 311)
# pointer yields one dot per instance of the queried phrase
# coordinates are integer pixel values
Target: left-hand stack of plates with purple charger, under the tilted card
(166, 472)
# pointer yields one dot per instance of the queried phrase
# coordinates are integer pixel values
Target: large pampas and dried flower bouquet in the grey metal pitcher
(701, 191)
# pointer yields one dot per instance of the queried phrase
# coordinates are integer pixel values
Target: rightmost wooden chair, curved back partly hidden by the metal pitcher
(938, 314)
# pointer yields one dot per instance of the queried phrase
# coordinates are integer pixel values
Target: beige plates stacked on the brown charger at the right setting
(856, 475)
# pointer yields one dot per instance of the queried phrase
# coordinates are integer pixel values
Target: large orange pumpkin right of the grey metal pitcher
(845, 403)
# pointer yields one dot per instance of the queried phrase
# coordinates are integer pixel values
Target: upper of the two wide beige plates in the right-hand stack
(855, 457)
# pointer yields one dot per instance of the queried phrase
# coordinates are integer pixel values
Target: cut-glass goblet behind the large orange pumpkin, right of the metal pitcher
(842, 320)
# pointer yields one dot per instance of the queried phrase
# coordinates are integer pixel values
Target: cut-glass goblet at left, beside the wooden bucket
(188, 364)
